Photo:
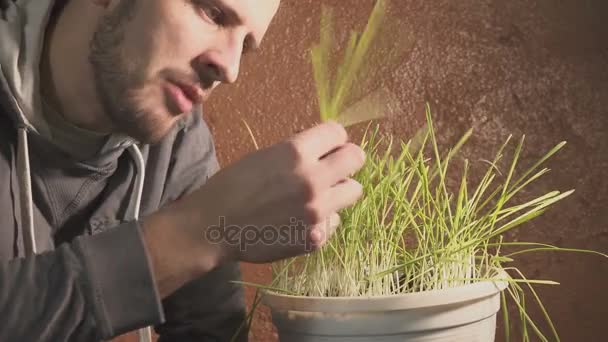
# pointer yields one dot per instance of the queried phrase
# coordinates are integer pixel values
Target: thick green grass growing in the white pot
(412, 232)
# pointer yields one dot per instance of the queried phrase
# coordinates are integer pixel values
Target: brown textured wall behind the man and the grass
(538, 68)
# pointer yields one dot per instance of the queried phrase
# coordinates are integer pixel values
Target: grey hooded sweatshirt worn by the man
(72, 263)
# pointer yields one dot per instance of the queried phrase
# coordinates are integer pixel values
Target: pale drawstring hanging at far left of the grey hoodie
(25, 193)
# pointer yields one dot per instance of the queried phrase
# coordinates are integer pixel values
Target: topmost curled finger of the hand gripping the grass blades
(320, 140)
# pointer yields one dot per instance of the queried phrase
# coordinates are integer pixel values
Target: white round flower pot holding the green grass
(466, 314)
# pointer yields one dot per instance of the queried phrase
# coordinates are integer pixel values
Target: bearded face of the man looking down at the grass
(154, 60)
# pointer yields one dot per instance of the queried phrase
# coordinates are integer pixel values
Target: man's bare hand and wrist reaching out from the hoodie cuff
(273, 204)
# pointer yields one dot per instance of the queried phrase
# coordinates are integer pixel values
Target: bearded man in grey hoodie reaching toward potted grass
(109, 176)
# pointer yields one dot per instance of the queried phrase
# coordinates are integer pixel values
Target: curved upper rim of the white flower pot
(425, 299)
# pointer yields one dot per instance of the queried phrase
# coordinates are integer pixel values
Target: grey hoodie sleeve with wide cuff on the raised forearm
(97, 287)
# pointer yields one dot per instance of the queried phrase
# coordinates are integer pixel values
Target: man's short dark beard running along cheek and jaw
(117, 83)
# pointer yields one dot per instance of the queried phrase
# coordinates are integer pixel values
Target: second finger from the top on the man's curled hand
(341, 164)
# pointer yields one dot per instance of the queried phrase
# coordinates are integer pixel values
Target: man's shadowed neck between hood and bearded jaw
(67, 81)
